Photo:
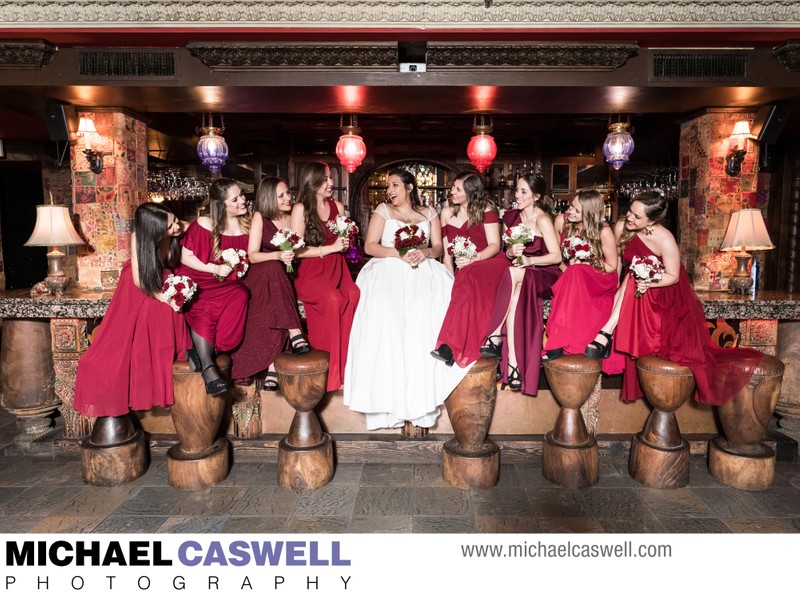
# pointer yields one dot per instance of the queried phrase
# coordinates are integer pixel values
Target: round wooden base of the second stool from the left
(196, 471)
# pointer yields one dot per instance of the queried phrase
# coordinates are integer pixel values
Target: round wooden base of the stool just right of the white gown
(471, 470)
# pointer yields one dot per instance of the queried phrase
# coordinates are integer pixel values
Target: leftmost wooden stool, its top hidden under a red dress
(114, 453)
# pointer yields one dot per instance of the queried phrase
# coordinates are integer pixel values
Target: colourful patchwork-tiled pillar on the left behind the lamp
(105, 203)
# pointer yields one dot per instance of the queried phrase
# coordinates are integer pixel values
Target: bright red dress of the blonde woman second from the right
(583, 298)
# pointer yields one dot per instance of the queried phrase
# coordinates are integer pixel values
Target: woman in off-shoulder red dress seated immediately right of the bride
(472, 215)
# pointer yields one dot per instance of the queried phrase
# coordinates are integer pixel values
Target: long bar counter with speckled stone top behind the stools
(261, 418)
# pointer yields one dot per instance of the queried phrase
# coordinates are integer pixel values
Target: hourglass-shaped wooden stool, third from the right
(570, 457)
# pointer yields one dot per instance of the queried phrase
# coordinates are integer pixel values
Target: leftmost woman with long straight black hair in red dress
(129, 363)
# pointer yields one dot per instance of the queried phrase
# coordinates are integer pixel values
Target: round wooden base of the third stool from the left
(304, 468)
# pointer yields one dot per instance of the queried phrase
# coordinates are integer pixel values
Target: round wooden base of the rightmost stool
(754, 472)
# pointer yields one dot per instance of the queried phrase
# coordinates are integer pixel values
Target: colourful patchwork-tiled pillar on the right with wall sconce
(708, 195)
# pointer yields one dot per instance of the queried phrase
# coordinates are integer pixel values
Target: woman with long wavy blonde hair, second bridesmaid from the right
(583, 296)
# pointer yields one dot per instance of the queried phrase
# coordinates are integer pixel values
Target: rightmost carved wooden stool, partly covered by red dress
(739, 458)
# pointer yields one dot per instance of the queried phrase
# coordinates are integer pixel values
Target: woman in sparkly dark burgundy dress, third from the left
(272, 311)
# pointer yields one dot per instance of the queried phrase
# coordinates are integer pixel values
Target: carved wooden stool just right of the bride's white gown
(470, 460)
